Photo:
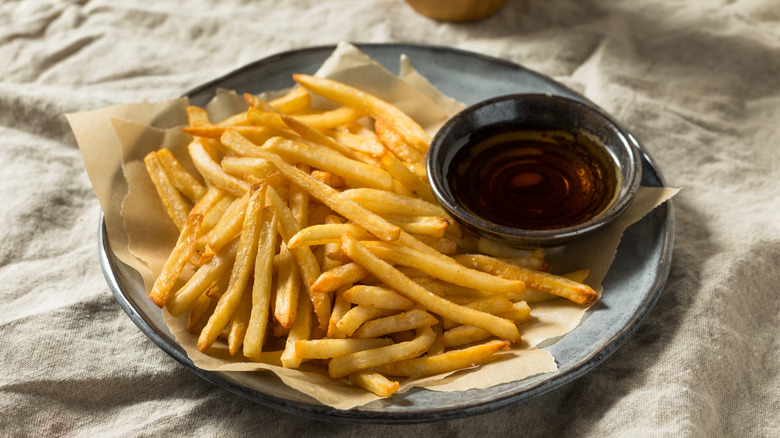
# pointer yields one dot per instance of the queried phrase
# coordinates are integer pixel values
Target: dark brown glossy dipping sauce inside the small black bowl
(534, 180)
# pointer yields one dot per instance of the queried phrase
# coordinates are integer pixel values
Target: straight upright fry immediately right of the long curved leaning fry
(261, 288)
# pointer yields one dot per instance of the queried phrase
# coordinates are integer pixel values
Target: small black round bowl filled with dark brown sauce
(540, 138)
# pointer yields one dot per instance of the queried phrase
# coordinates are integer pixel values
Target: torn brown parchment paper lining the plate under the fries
(114, 140)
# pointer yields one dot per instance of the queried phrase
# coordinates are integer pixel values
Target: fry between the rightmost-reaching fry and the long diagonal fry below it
(449, 271)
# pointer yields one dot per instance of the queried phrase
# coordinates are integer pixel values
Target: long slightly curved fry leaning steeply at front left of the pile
(242, 269)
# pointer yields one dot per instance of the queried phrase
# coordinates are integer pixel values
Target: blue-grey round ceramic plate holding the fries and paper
(631, 287)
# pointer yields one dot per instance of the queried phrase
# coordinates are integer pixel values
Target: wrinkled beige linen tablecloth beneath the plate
(698, 82)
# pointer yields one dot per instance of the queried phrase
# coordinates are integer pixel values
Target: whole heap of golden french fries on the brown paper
(312, 236)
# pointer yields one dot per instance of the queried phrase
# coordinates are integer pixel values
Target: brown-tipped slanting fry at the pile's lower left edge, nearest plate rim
(176, 261)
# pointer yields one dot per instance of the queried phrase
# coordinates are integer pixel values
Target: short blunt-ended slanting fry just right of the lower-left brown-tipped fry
(203, 278)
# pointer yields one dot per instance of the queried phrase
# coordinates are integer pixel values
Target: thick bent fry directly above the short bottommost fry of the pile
(345, 365)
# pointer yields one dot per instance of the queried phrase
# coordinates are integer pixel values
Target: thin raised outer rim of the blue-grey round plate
(357, 415)
